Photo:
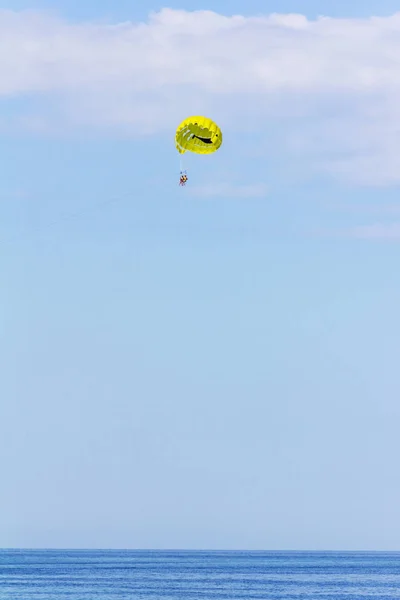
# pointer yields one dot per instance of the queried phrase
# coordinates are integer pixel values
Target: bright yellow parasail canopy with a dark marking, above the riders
(199, 135)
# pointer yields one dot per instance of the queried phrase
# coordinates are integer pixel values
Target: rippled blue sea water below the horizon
(137, 575)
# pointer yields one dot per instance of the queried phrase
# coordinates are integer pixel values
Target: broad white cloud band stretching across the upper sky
(335, 82)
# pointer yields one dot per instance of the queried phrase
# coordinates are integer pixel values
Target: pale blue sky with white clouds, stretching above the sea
(212, 367)
